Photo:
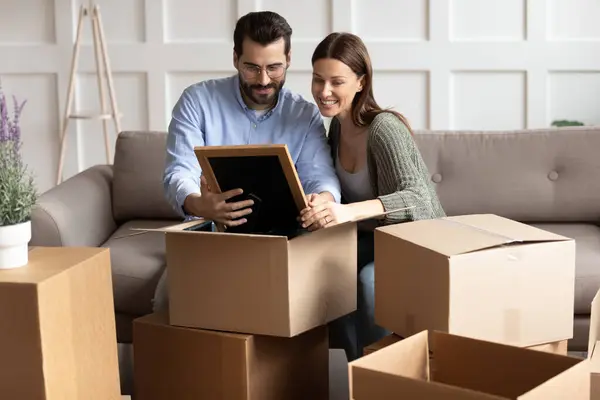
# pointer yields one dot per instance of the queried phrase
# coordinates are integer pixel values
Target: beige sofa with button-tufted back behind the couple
(549, 178)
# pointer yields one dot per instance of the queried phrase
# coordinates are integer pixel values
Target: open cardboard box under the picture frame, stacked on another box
(260, 284)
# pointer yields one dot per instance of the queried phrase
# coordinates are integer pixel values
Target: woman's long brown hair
(350, 49)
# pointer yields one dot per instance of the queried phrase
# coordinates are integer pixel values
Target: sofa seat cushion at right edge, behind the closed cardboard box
(587, 274)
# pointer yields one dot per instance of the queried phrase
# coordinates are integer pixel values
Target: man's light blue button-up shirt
(213, 113)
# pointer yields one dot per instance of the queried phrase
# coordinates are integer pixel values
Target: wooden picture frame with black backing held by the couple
(251, 167)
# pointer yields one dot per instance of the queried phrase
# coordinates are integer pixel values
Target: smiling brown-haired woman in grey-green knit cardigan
(378, 164)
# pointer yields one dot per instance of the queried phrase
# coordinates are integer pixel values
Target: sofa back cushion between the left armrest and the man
(138, 177)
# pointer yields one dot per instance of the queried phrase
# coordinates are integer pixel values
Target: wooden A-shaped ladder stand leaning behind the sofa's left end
(102, 69)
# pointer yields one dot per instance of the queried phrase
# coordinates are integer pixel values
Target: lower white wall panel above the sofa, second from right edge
(488, 100)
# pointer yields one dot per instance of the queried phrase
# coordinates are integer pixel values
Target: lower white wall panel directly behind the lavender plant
(39, 122)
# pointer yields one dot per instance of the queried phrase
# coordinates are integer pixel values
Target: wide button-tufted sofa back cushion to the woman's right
(535, 175)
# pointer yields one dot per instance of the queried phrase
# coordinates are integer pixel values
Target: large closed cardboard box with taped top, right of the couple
(481, 276)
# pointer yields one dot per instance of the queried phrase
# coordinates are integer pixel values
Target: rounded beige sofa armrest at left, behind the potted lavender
(77, 212)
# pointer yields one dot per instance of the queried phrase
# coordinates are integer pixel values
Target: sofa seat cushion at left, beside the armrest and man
(138, 261)
